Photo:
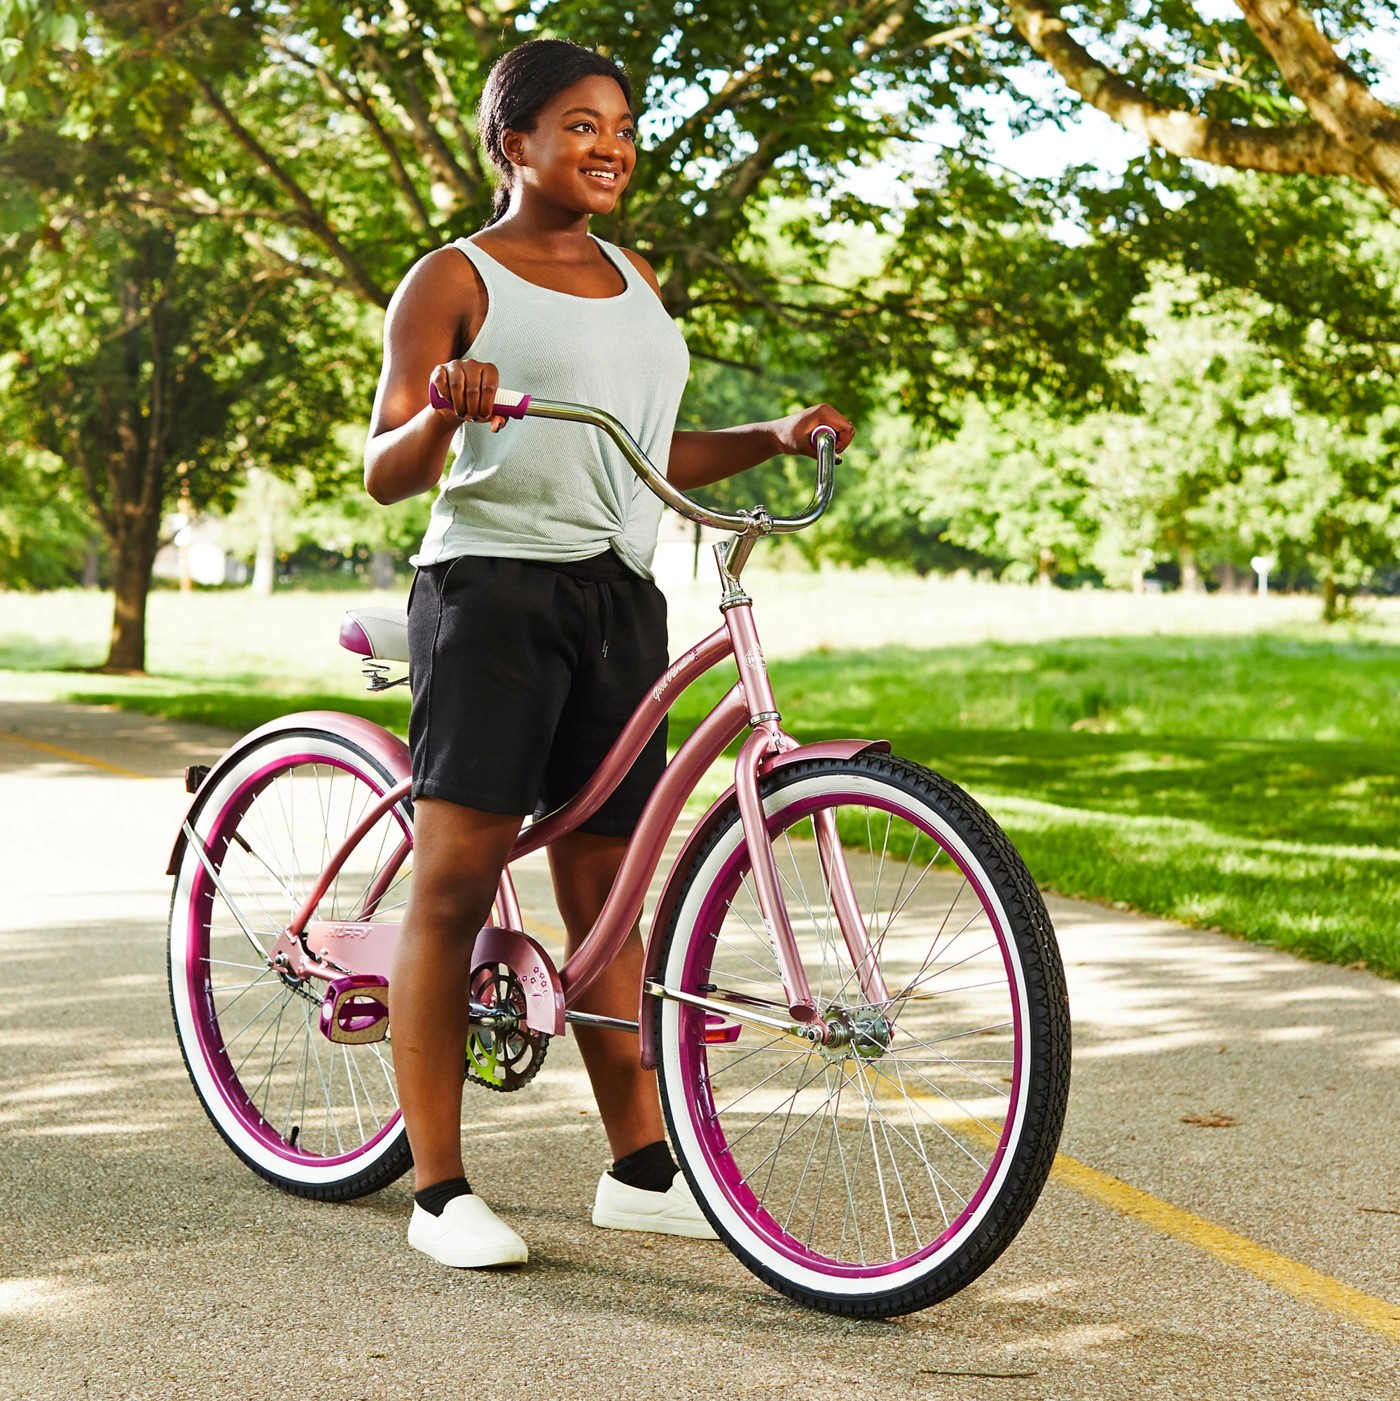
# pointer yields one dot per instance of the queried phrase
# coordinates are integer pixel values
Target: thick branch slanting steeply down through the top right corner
(1331, 89)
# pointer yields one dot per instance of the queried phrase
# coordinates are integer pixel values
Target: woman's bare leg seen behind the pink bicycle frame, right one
(584, 868)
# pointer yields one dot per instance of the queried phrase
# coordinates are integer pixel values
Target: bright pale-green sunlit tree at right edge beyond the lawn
(1221, 460)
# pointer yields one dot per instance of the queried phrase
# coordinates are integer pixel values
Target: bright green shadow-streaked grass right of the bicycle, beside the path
(1249, 785)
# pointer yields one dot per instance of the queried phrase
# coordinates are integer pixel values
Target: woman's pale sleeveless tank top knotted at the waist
(551, 491)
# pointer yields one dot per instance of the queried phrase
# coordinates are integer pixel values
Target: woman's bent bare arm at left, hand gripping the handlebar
(424, 327)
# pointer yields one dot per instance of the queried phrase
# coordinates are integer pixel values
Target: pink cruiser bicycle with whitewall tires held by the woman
(853, 991)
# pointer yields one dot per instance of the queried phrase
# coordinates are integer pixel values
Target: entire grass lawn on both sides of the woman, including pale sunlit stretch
(1238, 778)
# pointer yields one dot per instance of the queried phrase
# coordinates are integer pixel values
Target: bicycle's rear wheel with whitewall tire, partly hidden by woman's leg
(315, 1119)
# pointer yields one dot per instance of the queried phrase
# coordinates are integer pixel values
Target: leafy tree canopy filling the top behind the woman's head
(267, 170)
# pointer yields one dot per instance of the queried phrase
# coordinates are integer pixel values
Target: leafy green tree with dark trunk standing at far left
(153, 359)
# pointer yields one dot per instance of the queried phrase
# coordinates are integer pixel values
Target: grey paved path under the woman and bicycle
(1165, 1260)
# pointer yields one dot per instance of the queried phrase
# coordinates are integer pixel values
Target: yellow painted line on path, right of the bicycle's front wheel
(1273, 1269)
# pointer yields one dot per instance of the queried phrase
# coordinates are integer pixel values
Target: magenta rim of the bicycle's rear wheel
(203, 994)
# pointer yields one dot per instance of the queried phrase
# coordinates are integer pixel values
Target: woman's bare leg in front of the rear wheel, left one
(458, 858)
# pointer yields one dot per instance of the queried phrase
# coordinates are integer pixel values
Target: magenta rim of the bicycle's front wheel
(694, 1070)
